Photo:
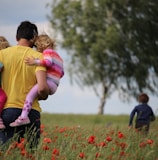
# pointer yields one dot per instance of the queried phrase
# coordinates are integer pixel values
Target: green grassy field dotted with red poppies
(87, 137)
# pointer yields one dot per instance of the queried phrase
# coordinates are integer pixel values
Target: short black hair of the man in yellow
(26, 30)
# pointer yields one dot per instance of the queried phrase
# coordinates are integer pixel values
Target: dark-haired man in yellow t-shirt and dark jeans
(17, 80)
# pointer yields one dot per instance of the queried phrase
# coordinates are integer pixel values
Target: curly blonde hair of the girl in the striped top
(43, 42)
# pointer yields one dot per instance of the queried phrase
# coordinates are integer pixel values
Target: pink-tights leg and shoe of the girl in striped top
(23, 118)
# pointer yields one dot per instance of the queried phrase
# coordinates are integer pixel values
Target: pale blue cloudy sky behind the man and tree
(68, 98)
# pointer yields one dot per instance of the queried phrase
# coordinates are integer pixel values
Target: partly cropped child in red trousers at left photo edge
(3, 97)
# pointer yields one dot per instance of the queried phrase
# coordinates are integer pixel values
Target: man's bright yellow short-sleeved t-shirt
(17, 77)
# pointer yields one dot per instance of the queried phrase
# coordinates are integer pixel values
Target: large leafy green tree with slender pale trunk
(112, 44)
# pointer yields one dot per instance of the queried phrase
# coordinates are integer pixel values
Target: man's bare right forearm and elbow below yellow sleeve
(43, 90)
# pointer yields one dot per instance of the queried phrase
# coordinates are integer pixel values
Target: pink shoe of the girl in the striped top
(20, 121)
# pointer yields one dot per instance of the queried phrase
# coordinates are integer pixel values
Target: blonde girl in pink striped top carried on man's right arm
(54, 64)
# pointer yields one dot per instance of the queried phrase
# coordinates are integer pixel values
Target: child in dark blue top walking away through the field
(144, 114)
